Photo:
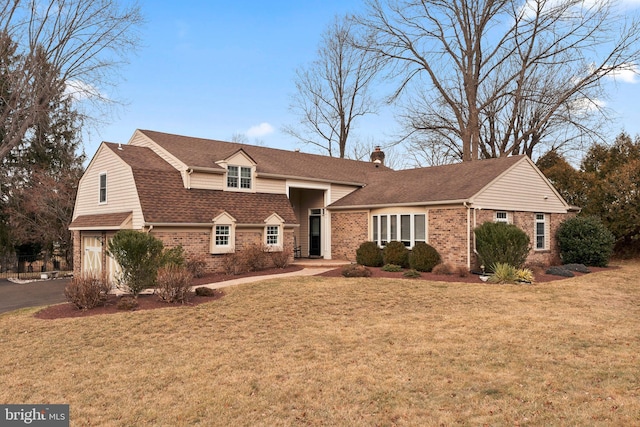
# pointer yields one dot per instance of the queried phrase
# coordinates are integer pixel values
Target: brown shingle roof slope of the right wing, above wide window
(434, 184)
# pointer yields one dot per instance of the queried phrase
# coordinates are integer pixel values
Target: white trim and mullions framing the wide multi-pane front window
(378, 220)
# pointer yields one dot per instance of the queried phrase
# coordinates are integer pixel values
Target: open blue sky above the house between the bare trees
(213, 69)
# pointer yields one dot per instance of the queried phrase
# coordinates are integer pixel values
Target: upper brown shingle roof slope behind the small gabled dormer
(198, 152)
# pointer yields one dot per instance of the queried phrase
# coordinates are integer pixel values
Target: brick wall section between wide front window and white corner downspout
(448, 234)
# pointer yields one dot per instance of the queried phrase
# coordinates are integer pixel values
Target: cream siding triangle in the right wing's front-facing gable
(522, 188)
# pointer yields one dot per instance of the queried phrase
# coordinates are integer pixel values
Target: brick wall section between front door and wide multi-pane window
(348, 231)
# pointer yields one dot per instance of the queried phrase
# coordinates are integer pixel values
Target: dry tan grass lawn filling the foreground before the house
(336, 351)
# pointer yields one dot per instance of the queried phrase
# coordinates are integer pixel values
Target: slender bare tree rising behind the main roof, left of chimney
(333, 91)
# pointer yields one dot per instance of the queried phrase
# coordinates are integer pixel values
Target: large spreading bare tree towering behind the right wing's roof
(499, 77)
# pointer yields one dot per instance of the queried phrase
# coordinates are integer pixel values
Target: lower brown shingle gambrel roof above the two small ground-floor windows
(164, 199)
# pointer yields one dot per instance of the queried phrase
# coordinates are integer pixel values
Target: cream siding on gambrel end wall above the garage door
(121, 190)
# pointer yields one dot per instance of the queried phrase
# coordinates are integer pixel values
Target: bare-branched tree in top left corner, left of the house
(76, 44)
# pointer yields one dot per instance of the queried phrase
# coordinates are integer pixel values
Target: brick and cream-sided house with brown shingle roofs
(215, 198)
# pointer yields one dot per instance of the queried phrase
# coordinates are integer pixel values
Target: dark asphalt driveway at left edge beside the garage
(41, 292)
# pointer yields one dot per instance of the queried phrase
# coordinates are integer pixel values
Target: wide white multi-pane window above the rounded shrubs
(407, 228)
